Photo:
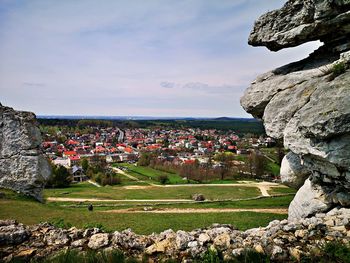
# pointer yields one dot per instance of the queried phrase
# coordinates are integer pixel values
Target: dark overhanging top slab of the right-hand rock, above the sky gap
(300, 21)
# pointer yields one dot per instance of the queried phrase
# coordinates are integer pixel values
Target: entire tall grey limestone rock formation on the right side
(307, 103)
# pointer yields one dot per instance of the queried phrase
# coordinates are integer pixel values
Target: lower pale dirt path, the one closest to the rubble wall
(195, 210)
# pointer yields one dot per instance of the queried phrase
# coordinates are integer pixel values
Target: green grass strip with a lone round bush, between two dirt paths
(86, 190)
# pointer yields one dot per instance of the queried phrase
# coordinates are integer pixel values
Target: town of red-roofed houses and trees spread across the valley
(195, 154)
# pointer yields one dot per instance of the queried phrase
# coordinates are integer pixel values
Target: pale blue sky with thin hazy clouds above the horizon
(133, 57)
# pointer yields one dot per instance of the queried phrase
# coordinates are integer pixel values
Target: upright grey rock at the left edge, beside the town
(23, 167)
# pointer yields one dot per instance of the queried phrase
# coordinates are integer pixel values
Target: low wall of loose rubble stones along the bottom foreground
(283, 241)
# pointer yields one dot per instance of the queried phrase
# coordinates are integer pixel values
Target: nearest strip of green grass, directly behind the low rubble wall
(31, 212)
